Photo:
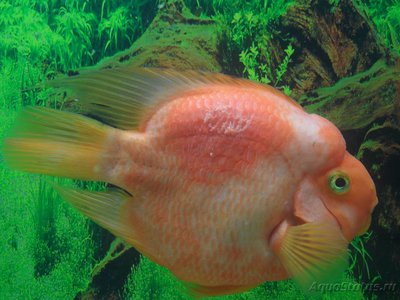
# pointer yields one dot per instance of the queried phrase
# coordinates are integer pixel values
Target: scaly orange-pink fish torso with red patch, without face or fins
(217, 169)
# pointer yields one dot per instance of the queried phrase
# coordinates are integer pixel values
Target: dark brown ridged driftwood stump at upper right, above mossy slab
(330, 43)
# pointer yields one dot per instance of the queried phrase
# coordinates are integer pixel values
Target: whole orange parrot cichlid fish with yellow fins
(225, 182)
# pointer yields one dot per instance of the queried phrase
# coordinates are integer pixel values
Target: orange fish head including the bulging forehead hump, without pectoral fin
(339, 190)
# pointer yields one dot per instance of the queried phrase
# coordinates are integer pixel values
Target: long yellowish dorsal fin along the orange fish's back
(121, 96)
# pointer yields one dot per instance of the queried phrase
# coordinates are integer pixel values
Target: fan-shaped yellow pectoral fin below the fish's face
(314, 252)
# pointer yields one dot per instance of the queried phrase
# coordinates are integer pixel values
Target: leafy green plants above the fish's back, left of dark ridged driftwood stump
(248, 30)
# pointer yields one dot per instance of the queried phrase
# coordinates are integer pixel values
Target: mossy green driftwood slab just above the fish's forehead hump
(358, 101)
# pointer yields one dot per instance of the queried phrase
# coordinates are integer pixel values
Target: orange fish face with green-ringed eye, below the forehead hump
(344, 196)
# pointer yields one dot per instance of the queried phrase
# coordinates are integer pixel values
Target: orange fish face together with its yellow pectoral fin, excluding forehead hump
(330, 208)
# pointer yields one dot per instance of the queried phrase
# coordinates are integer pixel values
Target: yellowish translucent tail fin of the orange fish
(57, 143)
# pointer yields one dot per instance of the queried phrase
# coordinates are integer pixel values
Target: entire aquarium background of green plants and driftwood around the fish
(337, 58)
